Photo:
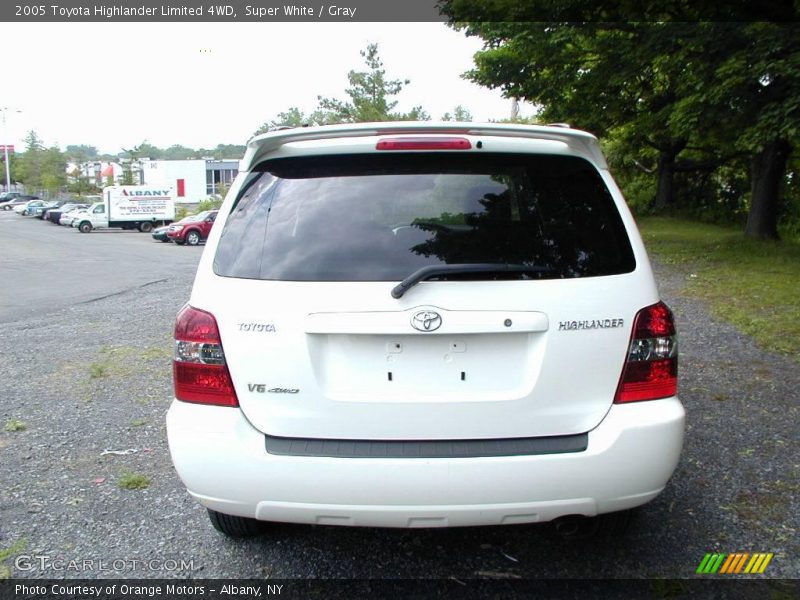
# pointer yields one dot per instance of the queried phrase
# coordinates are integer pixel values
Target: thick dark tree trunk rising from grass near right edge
(767, 172)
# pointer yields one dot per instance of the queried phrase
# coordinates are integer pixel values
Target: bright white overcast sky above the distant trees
(114, 85)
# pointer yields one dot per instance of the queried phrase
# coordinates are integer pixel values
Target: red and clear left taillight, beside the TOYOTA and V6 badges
(199, 372)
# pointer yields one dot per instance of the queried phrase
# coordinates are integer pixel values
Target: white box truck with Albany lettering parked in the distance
(139, 207)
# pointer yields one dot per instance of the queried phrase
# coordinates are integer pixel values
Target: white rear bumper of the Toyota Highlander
(222, 461)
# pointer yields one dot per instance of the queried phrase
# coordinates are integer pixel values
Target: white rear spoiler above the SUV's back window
(581, 142)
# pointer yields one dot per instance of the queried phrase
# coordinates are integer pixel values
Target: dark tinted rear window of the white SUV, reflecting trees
(380, 217)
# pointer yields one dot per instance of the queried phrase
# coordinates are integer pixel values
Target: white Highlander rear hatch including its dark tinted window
(531, 343)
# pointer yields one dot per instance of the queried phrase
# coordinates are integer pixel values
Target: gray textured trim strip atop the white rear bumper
(426, 449)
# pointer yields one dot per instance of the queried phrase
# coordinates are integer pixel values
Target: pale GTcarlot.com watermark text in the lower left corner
(59, 564)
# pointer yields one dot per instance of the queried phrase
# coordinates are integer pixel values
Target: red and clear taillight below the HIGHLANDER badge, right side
(651, 368)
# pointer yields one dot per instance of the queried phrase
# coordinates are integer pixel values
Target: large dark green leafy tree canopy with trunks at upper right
(680, 97)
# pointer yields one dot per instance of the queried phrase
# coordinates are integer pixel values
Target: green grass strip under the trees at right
(749, 283)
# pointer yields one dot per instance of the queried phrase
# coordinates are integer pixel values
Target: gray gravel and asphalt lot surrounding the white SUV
(89, 376)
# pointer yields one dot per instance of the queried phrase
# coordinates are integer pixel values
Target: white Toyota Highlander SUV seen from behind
(424, 325)
